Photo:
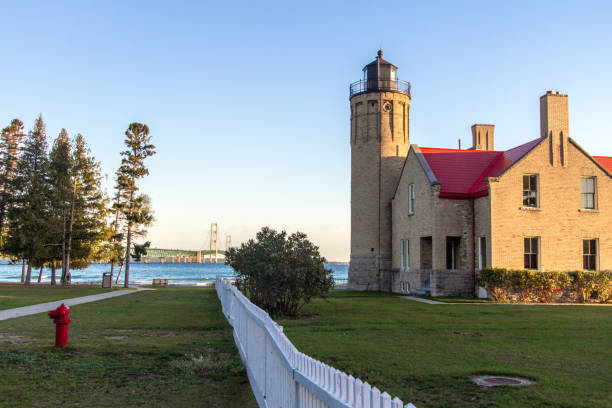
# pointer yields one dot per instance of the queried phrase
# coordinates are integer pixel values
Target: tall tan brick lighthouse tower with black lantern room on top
(380, 104)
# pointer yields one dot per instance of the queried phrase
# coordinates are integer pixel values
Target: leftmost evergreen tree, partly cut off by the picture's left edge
(10, 145)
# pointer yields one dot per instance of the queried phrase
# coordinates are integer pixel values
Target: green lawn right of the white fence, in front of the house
(425, 354)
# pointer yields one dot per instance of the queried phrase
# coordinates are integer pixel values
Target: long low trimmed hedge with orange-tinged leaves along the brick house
(505, 285)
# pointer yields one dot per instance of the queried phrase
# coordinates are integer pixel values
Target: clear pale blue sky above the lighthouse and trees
(248, 105)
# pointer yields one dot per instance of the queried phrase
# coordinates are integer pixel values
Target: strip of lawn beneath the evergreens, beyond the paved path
(12, 295)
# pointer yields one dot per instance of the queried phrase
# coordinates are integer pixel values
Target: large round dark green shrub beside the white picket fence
(280, 273)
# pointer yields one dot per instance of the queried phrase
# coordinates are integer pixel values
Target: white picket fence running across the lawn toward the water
(281, 376)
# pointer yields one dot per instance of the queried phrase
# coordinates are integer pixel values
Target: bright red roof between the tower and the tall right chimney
(463, 173)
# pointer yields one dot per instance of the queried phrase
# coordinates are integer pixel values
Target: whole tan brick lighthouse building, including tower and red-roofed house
(544, 205)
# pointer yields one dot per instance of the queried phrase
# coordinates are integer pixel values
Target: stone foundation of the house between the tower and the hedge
(439, 282)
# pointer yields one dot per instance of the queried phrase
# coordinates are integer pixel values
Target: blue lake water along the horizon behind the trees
(140, 273)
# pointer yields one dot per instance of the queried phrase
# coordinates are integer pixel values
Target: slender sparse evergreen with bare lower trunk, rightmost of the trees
(135, 207)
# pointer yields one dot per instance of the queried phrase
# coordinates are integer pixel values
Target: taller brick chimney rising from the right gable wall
(554, 125)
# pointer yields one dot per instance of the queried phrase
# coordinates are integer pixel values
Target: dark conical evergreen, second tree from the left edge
(28, 217)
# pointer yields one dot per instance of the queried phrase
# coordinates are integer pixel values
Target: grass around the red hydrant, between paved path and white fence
(165, 348)
